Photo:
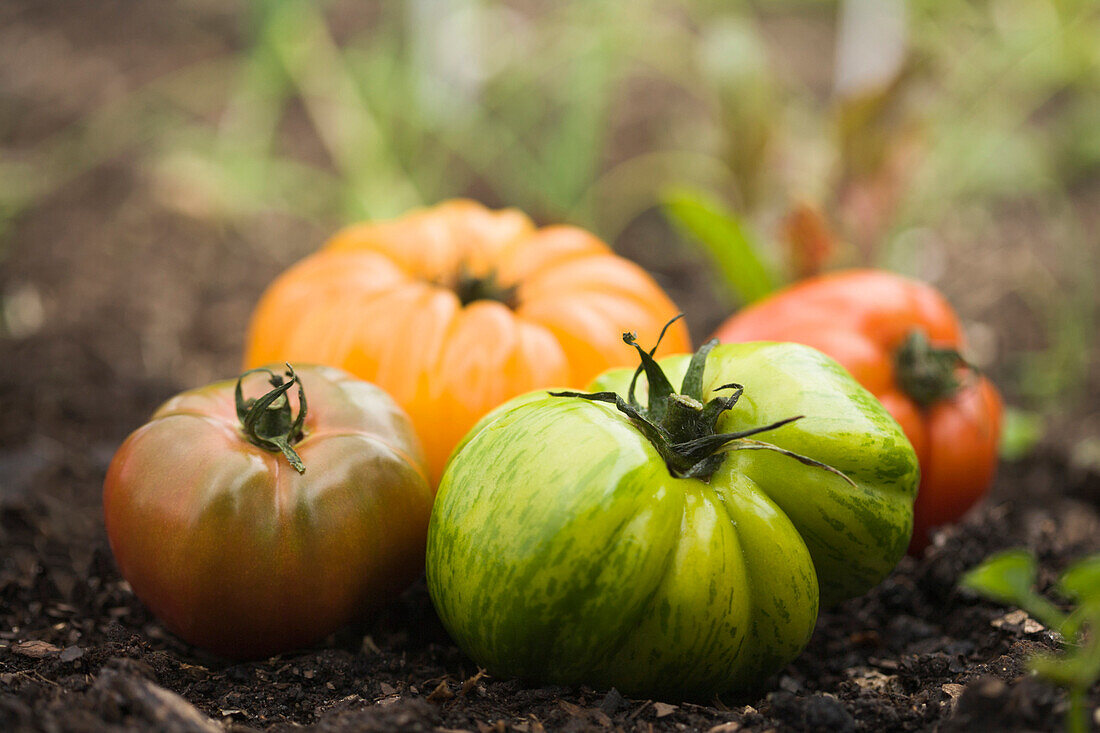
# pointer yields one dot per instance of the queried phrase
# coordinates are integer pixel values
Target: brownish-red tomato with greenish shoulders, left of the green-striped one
(238, 553)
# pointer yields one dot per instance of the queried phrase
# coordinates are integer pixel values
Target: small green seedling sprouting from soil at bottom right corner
(1010, 578)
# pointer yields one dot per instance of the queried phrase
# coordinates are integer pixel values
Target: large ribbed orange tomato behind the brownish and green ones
(456, 309)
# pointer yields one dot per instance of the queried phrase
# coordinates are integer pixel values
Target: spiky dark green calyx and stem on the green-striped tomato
(684, 428)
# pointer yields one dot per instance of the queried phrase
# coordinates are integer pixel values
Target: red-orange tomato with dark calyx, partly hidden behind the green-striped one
(900, 340)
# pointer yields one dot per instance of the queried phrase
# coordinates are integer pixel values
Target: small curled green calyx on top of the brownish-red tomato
(269, 422)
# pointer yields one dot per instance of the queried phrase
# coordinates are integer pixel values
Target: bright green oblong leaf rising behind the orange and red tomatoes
(724, 240)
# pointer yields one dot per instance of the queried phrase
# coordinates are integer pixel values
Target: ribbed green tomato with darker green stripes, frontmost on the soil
(566, 546)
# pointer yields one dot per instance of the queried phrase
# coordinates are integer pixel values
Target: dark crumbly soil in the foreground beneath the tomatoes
(79, 652)
